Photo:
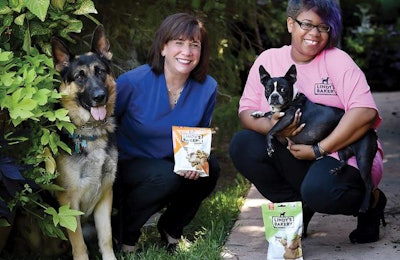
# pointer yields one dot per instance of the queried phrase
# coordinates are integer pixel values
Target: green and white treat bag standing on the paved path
(283, 224)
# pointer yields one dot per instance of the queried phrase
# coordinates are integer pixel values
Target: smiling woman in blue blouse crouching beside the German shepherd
(173, 89)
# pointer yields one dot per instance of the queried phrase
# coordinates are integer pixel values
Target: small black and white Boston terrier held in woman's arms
(320, 120)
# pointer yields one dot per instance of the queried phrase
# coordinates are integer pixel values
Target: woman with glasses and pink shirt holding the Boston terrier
(326, 75)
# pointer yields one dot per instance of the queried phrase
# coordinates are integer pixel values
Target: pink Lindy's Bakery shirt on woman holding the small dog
(332, 79)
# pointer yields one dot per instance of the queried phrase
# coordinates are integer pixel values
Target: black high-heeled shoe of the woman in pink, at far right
(368, 223)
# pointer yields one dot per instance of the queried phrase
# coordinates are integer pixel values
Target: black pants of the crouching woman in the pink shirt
(283, 178)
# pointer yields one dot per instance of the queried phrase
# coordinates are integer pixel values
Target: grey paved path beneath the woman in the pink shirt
(328, 234)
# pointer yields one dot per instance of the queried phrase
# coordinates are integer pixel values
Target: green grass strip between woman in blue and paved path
(205, 236)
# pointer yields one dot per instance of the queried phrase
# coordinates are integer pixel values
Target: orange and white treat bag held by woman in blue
(192, 146)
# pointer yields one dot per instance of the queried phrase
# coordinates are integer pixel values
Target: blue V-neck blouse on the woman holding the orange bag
(145, 118)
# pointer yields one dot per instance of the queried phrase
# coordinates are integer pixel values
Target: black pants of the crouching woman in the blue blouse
(145, 186)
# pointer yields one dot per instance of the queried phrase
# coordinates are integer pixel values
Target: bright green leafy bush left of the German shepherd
(30, 115)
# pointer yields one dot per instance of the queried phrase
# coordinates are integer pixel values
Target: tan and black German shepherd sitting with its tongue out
(87, 175)
